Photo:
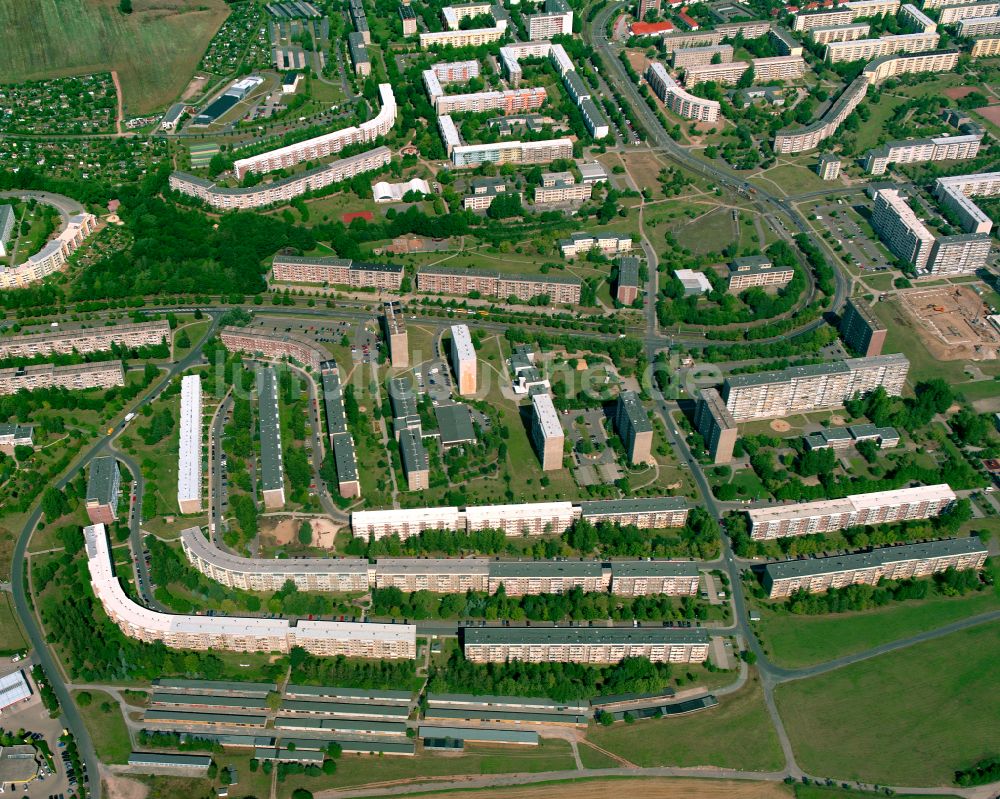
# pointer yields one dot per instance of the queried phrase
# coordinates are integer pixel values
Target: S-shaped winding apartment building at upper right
(808, 137)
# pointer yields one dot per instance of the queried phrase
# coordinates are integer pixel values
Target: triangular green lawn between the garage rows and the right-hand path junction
(735, 734)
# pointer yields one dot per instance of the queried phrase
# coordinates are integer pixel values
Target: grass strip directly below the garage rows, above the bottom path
(355, 770)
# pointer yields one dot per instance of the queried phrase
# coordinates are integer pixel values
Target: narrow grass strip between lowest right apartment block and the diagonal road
(797, 641)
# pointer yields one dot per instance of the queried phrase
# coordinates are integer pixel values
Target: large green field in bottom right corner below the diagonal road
(911, 717)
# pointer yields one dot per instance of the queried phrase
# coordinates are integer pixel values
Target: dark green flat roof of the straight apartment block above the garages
(585, 635)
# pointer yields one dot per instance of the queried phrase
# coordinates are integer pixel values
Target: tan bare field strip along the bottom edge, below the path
(649, 788)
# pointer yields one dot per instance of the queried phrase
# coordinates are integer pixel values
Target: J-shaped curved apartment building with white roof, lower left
(233, 633)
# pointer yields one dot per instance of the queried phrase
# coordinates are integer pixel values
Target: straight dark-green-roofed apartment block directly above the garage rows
(585, 644)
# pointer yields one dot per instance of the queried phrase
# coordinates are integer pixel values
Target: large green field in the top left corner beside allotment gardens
(155, 50)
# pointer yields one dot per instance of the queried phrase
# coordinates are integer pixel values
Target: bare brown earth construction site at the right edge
(953, 322)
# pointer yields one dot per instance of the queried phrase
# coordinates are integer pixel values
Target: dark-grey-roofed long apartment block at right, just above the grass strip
(816, 575)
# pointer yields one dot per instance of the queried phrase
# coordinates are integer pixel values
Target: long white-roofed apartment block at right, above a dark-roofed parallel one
(830, 515)
